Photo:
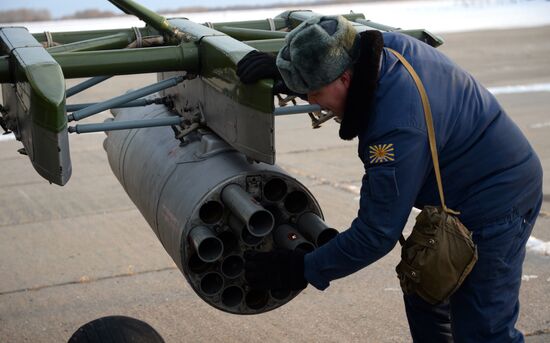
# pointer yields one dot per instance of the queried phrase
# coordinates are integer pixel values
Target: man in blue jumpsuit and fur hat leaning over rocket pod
(490, 173)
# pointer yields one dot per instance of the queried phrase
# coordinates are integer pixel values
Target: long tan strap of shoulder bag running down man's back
(429, 125)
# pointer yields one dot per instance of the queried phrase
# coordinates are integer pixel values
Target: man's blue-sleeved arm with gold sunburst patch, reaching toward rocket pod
(396, 165)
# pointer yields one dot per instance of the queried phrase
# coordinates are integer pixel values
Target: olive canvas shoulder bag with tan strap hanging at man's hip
(440, 252)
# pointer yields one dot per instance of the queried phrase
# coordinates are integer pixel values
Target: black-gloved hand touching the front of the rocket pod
(278, 269)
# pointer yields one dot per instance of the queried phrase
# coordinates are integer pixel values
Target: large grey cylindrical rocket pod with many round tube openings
(179, 189)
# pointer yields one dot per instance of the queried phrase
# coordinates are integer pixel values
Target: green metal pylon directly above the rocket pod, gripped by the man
(241, 114)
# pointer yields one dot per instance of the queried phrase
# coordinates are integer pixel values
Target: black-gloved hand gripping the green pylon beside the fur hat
(257, 65)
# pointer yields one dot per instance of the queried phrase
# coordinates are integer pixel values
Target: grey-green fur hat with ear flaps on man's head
(317, 52)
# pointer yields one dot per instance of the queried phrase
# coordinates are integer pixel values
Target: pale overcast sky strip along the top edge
(59, 8)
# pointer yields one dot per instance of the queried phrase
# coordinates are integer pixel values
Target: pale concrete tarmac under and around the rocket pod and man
(72, 254)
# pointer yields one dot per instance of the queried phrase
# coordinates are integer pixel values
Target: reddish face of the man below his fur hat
(333, 96)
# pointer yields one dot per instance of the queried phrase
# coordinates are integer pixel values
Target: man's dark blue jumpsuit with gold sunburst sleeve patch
(490, 174)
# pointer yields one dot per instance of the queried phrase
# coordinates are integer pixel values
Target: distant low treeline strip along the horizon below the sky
(27, 14)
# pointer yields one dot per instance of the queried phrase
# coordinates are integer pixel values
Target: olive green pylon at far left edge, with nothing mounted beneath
(34, 106)
